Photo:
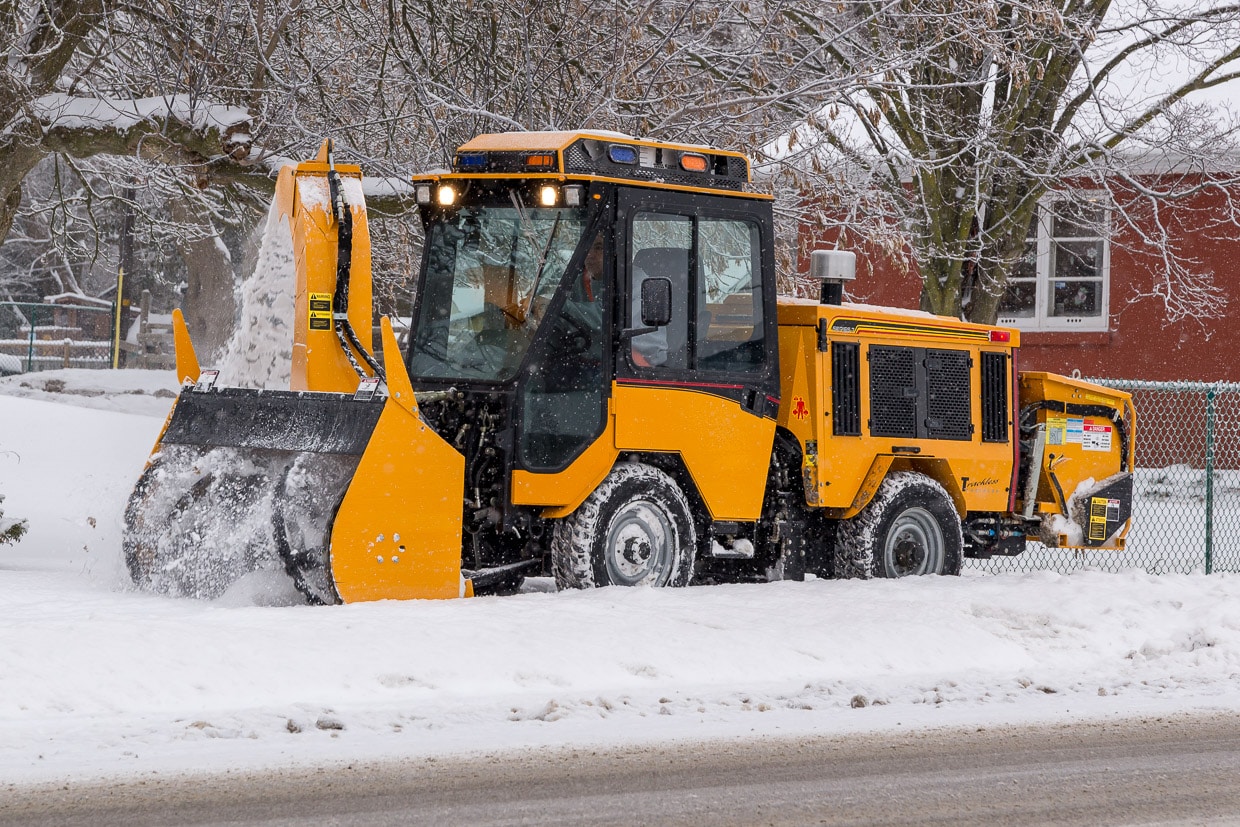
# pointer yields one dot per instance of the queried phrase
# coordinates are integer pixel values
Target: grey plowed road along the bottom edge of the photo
(1176, 771)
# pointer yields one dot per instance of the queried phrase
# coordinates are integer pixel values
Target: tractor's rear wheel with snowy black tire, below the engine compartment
(910, 529)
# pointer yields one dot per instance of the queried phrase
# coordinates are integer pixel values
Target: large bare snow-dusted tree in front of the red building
(955, 120)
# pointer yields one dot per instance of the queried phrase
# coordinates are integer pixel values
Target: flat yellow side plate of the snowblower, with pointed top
(399, 530)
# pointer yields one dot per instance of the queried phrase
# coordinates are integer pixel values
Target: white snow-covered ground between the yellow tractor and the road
(97, 680)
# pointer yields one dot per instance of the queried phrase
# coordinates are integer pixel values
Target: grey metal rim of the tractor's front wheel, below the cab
(640, 545)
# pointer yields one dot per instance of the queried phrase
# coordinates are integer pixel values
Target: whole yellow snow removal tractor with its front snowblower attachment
(601, 385)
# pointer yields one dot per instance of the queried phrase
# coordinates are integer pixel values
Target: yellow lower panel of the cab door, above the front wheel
(726, 449)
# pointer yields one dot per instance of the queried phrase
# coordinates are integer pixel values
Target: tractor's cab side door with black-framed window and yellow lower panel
(705, 386)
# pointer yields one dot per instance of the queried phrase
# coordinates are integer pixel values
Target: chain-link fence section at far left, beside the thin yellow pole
(48, 337)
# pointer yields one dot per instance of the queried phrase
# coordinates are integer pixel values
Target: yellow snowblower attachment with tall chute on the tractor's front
(337, 482)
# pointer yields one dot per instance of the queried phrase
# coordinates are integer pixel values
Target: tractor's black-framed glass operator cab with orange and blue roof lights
(560, 266)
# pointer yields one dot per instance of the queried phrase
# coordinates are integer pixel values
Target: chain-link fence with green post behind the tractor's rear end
(1186, 488)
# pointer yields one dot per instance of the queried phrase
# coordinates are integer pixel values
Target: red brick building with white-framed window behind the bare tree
(1086, 297)
